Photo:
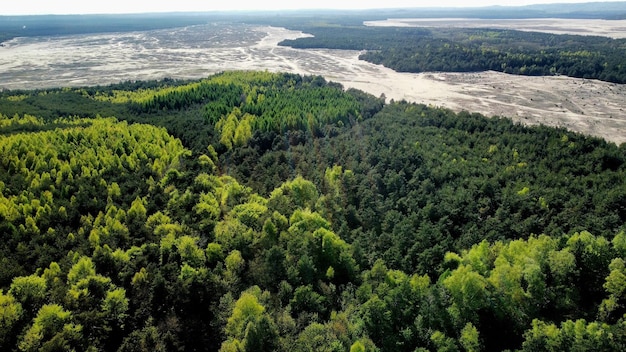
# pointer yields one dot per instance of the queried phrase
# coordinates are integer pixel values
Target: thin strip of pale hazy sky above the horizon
(13, 7)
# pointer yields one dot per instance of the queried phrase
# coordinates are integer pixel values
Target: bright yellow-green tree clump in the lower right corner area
(516, 274)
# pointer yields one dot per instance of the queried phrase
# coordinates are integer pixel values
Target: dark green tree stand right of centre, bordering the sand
(428, 180)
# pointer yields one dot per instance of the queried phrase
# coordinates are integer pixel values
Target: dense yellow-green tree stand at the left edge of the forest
(51, 164)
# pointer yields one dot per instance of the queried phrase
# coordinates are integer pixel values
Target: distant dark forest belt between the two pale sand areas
(471, 50)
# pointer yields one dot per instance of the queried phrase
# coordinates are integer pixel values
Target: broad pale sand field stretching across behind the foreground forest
(587, 106)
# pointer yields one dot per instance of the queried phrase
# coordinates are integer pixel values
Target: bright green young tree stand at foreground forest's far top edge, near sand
(241, 102)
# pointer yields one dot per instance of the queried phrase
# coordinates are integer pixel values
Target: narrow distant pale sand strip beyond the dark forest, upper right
(606, 28)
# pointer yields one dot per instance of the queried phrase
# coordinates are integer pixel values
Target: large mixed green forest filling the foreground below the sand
(257, 211)
